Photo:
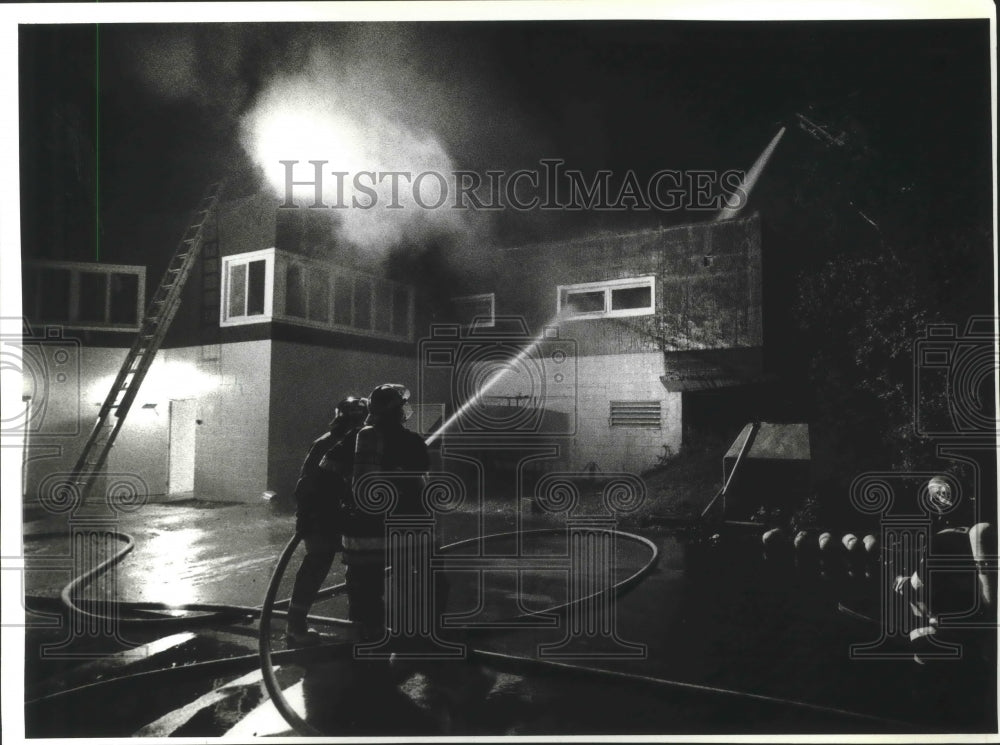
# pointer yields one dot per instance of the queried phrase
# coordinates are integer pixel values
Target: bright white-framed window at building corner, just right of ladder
(248, 281)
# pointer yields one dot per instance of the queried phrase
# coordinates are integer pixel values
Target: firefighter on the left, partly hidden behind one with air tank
(323, 482)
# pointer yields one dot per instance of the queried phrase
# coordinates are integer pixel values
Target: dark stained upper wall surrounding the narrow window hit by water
(708, 286)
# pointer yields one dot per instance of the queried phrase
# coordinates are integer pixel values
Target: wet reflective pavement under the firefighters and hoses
(715, 625)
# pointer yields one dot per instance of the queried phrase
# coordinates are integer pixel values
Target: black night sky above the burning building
(910, 97)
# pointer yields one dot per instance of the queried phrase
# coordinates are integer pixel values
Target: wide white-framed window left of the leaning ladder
(85, 295)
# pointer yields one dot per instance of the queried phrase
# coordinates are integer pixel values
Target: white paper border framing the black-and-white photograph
(10, 291)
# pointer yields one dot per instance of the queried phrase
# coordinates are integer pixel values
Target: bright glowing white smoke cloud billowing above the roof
(340, 111)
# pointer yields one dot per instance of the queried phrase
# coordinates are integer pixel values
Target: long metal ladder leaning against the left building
(153, 328)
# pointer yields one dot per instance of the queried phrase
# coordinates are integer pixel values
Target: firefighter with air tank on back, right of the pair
(384, 446)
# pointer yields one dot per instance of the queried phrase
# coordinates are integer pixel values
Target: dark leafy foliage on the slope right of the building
(862, 314)
